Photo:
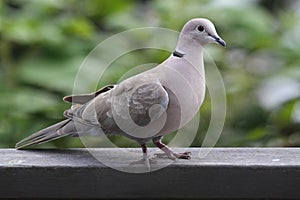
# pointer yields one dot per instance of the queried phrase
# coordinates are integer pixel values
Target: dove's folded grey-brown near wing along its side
(133, 105)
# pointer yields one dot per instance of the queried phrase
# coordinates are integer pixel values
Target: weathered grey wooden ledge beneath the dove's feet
(223, 173)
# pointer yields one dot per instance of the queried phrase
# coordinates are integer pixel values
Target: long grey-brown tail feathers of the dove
(53, 132)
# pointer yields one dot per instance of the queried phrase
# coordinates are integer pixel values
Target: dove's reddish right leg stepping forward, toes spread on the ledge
(168, 152)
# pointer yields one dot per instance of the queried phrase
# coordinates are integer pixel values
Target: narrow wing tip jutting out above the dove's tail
(84, 98)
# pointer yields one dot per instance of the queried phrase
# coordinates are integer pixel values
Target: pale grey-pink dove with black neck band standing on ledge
(148, 105)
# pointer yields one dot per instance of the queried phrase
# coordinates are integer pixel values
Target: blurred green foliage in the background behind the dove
(42, 44)
